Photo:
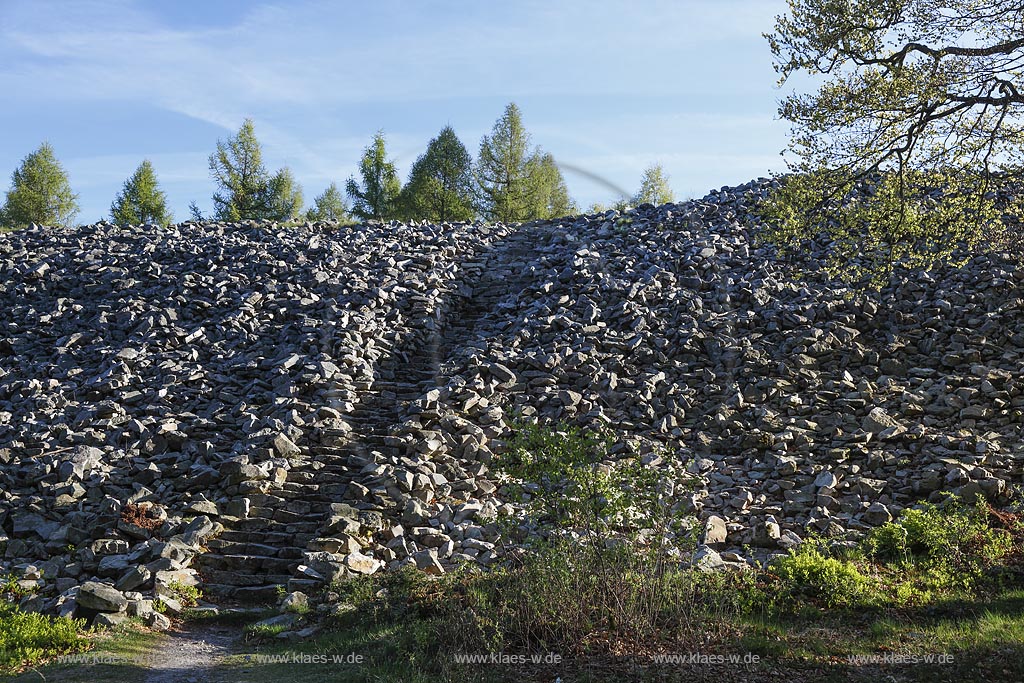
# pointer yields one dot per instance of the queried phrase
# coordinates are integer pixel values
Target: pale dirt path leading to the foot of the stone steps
(190, 656)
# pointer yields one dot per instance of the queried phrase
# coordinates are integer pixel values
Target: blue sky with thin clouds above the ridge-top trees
(608, 88)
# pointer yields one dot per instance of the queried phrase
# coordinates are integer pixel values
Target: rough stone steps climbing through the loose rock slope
(259, 556)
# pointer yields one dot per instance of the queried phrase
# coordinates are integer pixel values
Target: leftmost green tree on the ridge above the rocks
(39, 193)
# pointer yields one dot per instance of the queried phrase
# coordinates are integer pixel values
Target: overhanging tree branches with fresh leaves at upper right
(902, 155)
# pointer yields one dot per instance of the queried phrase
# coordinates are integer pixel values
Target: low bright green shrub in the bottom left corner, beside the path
(27, 637)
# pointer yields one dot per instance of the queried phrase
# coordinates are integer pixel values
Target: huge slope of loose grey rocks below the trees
(246, 407)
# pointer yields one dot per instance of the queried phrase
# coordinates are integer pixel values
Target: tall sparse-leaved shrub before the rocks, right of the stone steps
(605, 535)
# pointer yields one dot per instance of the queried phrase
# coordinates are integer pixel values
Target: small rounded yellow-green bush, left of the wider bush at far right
(809, 572)
